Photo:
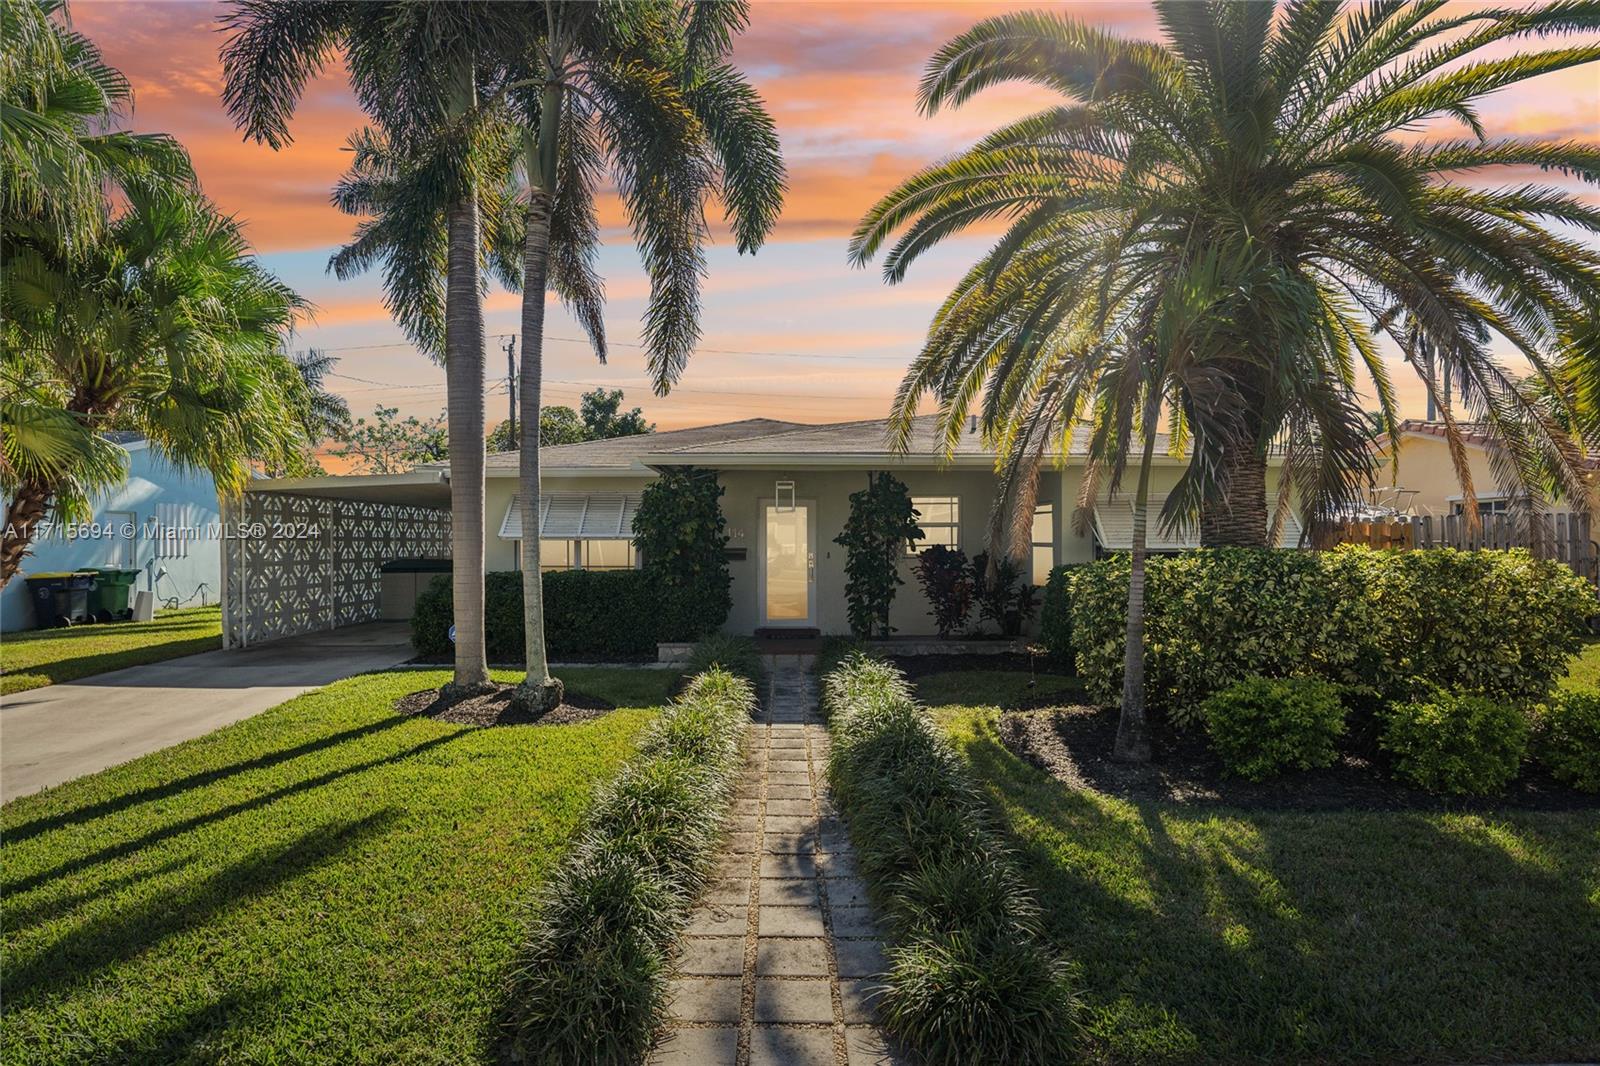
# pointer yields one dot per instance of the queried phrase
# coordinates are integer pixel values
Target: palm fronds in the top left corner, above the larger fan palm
(58, 145)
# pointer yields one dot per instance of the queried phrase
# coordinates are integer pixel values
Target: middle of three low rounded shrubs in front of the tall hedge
(1466, 745)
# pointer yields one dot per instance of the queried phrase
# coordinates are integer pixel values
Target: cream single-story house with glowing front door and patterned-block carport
(786, 497)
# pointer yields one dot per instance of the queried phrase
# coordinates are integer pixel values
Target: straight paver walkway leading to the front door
(778, 961)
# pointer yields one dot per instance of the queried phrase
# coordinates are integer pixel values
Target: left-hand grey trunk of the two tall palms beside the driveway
(465, 404)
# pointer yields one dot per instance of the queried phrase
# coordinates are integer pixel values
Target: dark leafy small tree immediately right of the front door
(881, 524)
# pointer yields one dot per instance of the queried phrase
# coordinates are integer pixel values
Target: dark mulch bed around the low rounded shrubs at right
(1074, 745)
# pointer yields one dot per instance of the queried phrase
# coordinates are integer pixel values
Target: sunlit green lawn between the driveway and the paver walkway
(326, 883)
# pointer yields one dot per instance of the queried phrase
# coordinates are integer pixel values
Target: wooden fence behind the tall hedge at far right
(1562, 537)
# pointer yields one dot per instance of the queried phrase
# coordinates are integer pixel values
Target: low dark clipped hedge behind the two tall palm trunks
(588, 615)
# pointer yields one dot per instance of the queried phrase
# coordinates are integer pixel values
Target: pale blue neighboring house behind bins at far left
(161, 519)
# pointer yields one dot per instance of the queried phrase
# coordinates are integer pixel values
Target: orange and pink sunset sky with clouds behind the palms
(791, 334)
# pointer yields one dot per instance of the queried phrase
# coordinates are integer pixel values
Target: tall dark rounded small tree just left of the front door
(684, 539)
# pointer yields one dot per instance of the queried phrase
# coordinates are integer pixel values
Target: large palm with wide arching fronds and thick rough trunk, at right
(1276, 138)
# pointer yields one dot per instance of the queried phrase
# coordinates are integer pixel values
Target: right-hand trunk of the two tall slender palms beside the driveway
(538, 692)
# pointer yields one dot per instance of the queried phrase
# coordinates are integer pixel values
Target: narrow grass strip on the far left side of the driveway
(49, 657)
